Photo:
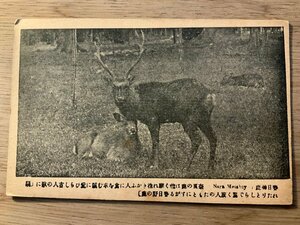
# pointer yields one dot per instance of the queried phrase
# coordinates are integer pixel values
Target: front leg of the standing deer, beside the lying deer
(154, 131)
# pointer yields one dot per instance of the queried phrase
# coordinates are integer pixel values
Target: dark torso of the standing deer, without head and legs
(168, 101)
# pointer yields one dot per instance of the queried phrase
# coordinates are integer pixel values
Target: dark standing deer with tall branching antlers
(153, 103)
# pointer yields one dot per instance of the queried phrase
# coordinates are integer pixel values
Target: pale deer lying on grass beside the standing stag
(116, 143)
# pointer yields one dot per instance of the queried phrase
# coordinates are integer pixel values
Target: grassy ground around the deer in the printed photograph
(246, 120)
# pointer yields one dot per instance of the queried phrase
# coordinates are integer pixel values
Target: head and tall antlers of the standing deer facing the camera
(121, 86)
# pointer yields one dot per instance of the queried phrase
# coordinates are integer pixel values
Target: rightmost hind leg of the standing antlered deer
(206, 128)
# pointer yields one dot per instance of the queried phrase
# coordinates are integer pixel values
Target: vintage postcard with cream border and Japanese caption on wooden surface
(151, 110)
